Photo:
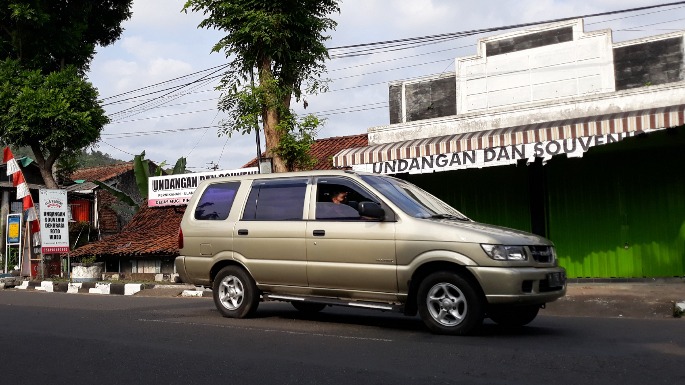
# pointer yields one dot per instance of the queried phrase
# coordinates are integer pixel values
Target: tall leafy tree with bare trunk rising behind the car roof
(282, 43)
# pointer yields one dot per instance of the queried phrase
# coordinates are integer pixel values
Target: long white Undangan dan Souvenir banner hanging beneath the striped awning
(494, 156)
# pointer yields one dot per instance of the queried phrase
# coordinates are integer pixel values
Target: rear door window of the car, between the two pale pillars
(276, 200)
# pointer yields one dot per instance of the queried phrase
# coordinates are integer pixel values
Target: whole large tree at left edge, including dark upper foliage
(47, 47)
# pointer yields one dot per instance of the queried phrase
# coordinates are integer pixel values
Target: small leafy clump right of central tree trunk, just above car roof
(296, 141)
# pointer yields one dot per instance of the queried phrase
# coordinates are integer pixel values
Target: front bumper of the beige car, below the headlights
(527, 285)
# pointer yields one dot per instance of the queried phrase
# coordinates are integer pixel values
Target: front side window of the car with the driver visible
(339, 198)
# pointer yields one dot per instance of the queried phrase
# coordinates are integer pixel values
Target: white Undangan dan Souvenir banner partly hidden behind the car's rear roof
(176, 190)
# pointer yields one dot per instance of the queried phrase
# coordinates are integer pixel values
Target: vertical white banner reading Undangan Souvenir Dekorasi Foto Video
(54, 221)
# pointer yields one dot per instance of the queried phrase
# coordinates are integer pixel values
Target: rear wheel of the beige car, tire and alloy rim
(235, 293)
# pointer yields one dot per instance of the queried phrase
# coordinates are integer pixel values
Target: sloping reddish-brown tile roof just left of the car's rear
(153, 231)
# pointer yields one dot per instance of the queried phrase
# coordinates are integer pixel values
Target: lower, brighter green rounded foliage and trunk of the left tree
(55, 114)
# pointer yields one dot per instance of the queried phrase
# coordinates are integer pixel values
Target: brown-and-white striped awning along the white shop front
(624, 122)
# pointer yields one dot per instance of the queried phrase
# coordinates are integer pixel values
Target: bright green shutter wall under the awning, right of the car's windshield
(620, 210)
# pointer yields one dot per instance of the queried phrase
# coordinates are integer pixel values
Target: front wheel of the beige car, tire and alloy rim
(449, 304)
